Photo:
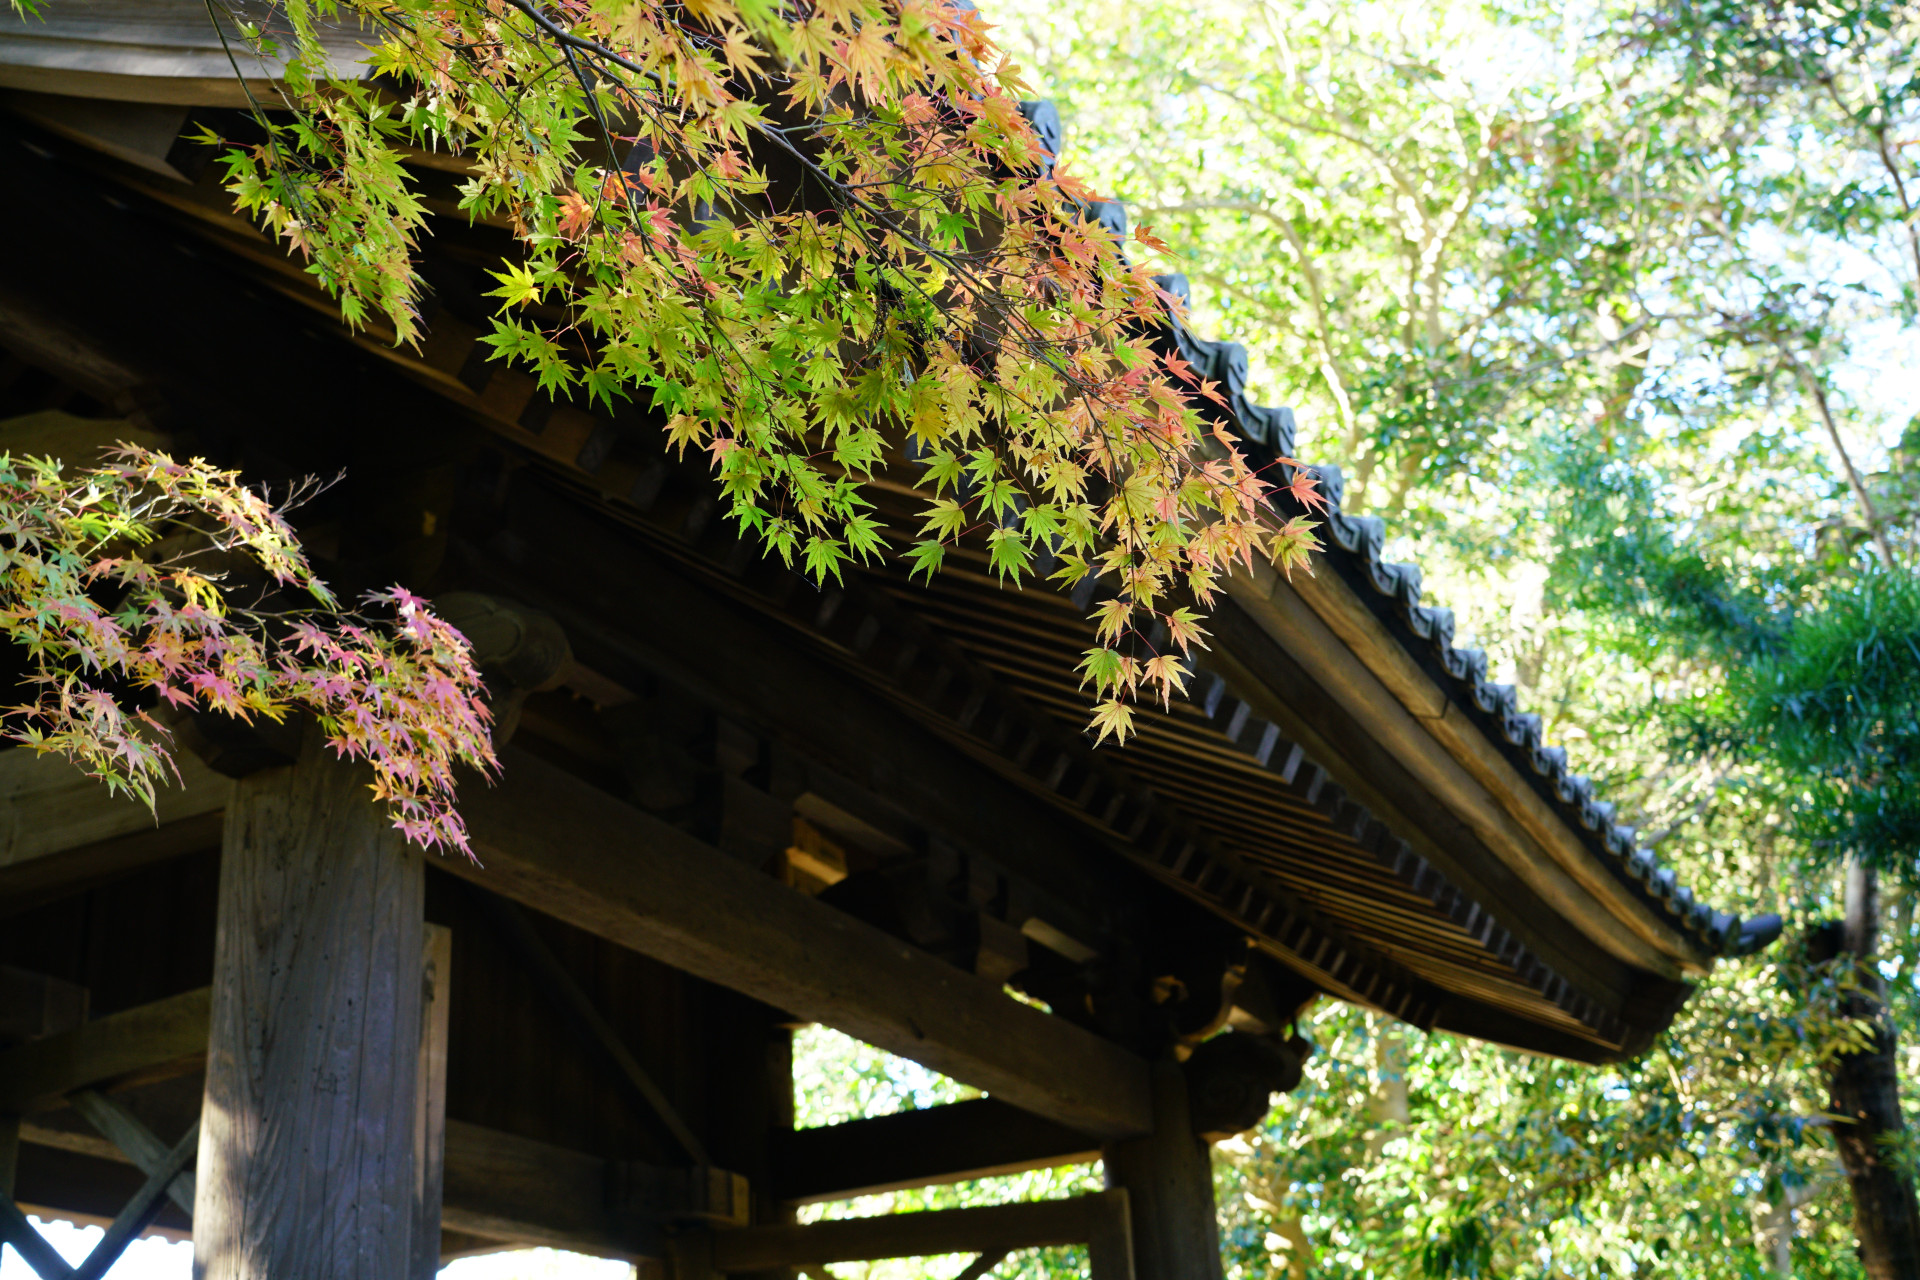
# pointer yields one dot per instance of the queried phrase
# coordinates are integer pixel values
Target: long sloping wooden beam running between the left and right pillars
(571, 851)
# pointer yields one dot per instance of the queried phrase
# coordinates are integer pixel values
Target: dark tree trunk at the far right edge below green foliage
(1865, 1097)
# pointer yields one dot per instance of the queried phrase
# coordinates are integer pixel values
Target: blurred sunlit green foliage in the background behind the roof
(1610, 308)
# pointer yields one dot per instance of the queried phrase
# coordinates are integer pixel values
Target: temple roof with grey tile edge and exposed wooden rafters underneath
(1345, 788)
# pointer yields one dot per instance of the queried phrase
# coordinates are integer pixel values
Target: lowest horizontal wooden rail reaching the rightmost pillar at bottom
(1034, 1225)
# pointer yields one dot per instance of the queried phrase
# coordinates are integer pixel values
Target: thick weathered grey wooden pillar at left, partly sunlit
(312, 1127)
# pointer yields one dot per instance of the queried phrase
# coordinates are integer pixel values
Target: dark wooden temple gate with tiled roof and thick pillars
(732, 805)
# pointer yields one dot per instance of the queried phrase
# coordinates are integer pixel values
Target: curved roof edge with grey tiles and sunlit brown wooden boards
(1468, 736)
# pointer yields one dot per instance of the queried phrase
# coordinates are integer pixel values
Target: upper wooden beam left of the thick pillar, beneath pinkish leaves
(60, 832)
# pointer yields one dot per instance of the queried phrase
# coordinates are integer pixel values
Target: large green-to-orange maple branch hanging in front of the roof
(938, 300)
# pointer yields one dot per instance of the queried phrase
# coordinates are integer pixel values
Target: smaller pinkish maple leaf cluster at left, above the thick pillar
(124, 588)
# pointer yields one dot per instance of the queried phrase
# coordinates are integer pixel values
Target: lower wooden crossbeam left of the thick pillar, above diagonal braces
(153, 1041)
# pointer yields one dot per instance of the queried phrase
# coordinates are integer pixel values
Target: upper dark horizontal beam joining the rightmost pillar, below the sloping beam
(957, 1143)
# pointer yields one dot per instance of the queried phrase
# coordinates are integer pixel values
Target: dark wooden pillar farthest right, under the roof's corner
(1170, 1187)
